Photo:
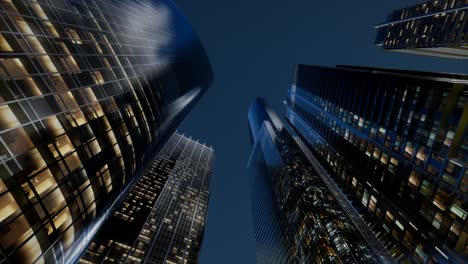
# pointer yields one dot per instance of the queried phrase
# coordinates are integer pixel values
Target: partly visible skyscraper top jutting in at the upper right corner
(435, 28)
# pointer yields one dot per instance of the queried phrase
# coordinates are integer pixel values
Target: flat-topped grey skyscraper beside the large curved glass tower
(162, 219)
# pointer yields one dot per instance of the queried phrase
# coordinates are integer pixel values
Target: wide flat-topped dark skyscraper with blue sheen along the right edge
(397, 142)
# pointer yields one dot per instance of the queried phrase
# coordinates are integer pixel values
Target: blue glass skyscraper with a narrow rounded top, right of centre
(299, 215)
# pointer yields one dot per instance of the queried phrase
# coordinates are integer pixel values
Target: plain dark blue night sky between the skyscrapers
(252, 45)
